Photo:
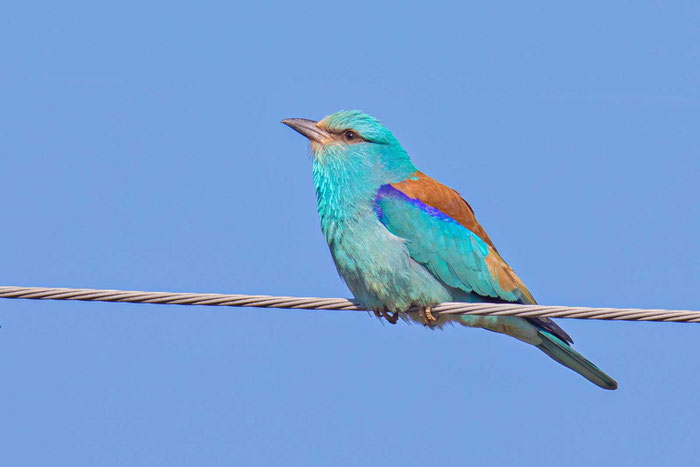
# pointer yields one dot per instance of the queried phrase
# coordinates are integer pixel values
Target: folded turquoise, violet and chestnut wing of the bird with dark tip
(443, 235)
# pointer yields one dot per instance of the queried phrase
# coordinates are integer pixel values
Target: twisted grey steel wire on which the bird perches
(343, 304)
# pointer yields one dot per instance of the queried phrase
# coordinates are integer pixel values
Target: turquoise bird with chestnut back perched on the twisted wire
(403, 241)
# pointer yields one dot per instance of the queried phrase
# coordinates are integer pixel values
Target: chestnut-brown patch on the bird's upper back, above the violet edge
(435, 194)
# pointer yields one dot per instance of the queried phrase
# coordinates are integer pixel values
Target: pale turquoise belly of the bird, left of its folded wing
(379, 271)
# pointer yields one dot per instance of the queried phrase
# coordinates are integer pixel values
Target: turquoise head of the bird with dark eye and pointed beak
(353, 145)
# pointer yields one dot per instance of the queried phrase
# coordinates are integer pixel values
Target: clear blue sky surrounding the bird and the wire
(140, 148)
